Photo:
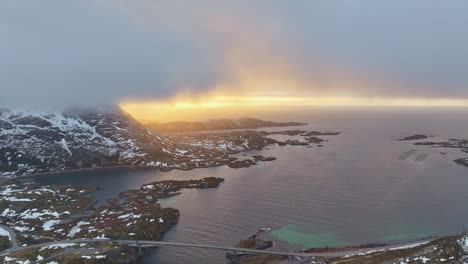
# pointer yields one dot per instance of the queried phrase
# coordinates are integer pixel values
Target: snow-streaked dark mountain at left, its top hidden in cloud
(37, 142)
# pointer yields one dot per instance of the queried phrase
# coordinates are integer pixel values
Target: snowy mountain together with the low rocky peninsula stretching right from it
(49, 143)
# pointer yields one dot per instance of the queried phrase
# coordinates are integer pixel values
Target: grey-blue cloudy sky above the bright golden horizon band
(61, 53)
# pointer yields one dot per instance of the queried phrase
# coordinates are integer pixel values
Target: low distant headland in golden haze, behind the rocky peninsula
(218, 124)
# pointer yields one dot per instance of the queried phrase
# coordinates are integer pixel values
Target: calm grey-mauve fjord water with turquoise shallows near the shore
(354, 190)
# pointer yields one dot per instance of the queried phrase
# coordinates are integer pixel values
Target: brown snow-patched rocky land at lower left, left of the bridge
(50, 213)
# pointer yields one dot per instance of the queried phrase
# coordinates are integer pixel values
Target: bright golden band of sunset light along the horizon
(189, 109)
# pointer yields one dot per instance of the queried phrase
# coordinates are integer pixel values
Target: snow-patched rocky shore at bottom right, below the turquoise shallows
(448, 249)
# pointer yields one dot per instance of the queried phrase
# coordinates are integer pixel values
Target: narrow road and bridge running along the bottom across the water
(136, 243)
